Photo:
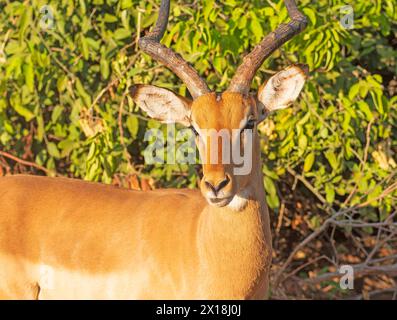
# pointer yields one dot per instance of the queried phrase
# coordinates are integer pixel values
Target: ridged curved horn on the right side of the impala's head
(245, 73)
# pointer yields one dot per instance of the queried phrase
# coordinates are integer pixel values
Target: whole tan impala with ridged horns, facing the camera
(64, 238)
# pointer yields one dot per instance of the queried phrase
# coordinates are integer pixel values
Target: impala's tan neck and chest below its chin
(236, 245)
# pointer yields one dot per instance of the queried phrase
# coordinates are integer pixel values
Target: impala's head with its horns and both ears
(224, 121)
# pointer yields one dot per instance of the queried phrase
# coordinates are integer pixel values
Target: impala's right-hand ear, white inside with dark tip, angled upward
(283, 88)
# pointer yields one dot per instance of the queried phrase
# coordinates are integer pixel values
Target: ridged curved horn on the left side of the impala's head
(150, 44)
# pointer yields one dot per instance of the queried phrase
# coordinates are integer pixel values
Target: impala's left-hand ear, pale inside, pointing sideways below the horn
(162, 104)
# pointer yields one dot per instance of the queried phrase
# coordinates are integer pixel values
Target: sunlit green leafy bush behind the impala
(64, 90)
